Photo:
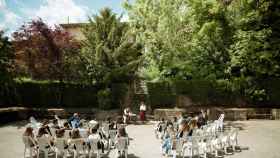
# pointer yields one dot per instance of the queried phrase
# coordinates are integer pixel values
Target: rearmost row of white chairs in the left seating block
(59, 147)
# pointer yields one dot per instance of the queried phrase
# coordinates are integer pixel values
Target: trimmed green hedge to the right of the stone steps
(219, 93)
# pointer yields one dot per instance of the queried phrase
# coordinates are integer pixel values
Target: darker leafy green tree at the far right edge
(255, 51)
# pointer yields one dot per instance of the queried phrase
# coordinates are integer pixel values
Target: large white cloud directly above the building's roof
(58, 11)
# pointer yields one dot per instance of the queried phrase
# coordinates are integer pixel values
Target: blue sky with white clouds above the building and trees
(14, 13)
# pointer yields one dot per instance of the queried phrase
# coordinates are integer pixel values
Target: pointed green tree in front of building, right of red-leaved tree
(110, 52)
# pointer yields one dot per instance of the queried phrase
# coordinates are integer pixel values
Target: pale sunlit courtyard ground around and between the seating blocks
(258, 139)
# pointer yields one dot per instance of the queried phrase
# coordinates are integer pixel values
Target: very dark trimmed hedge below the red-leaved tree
(36, 94)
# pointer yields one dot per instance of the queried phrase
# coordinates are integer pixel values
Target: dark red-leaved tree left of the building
(43, 52)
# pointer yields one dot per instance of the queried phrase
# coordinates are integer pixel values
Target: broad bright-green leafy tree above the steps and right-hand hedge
(184, 39)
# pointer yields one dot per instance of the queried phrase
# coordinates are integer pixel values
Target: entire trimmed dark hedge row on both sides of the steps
(160, 94)
